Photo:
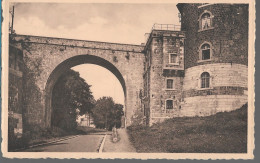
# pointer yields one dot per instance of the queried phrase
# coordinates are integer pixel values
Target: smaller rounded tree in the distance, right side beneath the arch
(107, 114)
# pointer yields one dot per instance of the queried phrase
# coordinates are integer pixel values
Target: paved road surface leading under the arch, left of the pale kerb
(82, 143)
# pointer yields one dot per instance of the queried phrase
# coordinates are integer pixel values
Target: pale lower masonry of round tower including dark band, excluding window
(227, 91)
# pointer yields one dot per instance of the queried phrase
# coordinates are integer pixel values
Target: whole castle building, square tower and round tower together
(199, 69)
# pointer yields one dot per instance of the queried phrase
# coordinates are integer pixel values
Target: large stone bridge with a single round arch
(46, 58)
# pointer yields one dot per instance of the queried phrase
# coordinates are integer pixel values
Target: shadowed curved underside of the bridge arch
(69, 63)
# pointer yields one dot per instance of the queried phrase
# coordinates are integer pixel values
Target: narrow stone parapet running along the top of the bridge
(79, 43)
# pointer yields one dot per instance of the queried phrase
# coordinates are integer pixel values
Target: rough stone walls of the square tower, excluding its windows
(162, 44)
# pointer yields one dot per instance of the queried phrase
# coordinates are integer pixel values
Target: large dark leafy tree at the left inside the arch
(71, 96)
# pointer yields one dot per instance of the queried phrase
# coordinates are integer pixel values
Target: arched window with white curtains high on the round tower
(205, 21)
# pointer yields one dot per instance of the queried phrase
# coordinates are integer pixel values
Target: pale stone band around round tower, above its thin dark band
(222, 74)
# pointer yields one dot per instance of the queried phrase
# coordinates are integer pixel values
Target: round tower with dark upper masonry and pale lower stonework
(216, 57)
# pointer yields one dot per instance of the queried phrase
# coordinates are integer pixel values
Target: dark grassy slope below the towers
(224, 132)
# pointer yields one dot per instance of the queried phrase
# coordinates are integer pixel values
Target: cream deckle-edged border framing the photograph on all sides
(204, 156)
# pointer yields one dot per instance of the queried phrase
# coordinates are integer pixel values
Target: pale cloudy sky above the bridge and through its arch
(118, 23)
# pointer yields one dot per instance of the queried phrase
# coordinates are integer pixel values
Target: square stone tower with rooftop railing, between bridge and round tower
(163, 73)
